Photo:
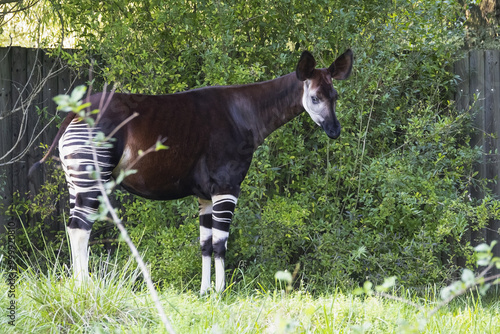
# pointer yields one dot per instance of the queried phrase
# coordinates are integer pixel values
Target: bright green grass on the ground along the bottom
(115, 301)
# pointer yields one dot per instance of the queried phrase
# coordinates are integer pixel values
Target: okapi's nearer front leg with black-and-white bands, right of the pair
(222, 214)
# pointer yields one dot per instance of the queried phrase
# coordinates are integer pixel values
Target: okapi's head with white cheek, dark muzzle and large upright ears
(320, 98)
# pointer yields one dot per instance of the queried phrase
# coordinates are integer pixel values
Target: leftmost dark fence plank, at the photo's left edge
(5, 133)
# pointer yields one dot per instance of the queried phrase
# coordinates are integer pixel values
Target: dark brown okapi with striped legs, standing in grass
(211, 134)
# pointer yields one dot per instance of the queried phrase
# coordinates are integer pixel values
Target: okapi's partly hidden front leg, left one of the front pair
(205, 243)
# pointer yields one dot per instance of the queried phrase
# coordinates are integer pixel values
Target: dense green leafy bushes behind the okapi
(391, 197)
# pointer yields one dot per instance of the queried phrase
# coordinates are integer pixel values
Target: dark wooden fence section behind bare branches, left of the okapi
(29, 79)
